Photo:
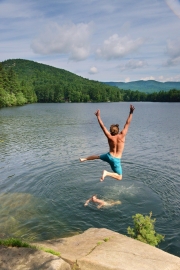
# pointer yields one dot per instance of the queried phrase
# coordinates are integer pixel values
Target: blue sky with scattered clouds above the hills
(102, 40)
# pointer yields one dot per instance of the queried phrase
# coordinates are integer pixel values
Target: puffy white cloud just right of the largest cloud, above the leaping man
(117, 47)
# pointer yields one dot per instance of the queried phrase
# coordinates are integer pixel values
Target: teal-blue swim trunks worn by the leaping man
(115, 163)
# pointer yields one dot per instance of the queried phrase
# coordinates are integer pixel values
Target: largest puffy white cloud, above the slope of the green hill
(69, 39)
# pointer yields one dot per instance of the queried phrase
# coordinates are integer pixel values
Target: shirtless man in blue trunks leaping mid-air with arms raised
(116, 141)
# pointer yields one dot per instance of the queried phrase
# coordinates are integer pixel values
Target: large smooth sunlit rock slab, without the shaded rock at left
(103, 249)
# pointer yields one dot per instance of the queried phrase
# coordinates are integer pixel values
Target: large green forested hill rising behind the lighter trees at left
(57, 85)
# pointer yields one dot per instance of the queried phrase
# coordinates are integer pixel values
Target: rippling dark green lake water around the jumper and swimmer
(43, 186)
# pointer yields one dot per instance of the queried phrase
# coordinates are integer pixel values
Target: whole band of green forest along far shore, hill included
(24, 81)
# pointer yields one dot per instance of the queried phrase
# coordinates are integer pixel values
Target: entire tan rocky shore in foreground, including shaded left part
(95, 249)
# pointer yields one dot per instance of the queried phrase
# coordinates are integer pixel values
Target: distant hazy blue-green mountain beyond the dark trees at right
(146, 86)
